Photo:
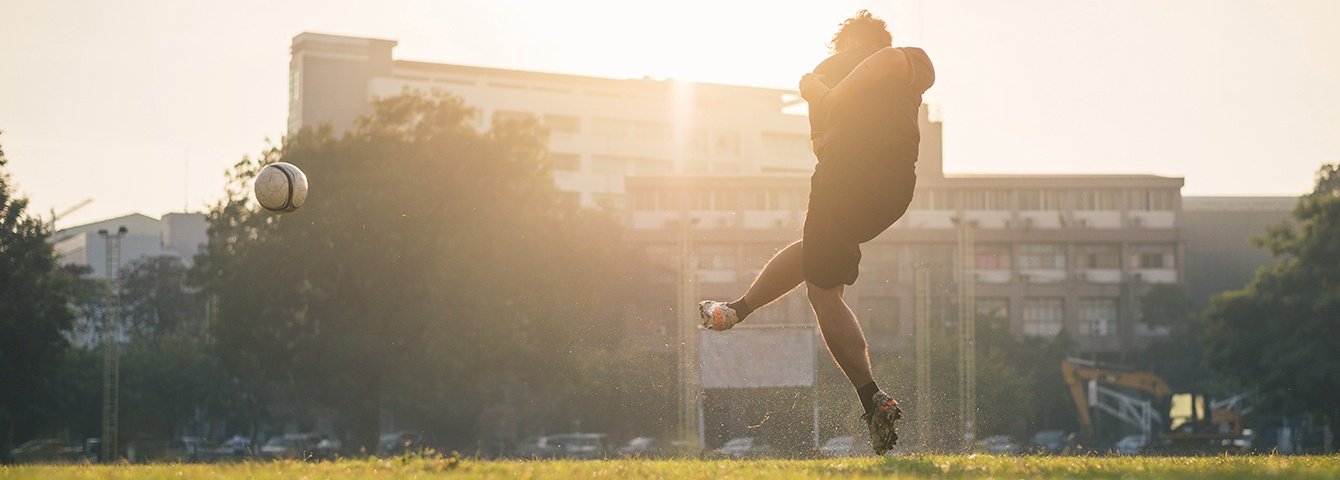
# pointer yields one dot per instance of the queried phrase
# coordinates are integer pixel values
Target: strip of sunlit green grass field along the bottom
(908, 467)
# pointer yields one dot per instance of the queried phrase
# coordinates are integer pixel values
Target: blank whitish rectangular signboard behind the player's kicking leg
(758, 357)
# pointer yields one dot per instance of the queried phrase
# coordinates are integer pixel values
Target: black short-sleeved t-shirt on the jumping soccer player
(881, 123)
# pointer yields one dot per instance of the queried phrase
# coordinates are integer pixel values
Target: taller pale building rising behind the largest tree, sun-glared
(601, 131)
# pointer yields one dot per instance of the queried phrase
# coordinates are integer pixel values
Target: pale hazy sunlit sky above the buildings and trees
(144, 105)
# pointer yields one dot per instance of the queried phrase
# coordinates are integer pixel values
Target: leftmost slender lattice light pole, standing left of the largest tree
(111, 357)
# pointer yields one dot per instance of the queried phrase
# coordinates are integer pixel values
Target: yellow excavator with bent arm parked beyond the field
(1172, 423)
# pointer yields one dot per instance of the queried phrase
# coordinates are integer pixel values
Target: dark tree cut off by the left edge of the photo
(33, 314)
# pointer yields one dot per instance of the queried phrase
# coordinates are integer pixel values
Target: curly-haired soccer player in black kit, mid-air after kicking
(864, 109)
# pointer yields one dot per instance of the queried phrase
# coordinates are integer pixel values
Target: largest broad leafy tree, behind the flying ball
(433, 273)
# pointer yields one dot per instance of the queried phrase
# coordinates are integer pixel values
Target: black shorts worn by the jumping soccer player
(853, 199)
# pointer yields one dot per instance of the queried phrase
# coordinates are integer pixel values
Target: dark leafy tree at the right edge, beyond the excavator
(1280, 336)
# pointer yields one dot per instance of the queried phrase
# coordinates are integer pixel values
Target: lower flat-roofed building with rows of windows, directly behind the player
(1053, 253)
